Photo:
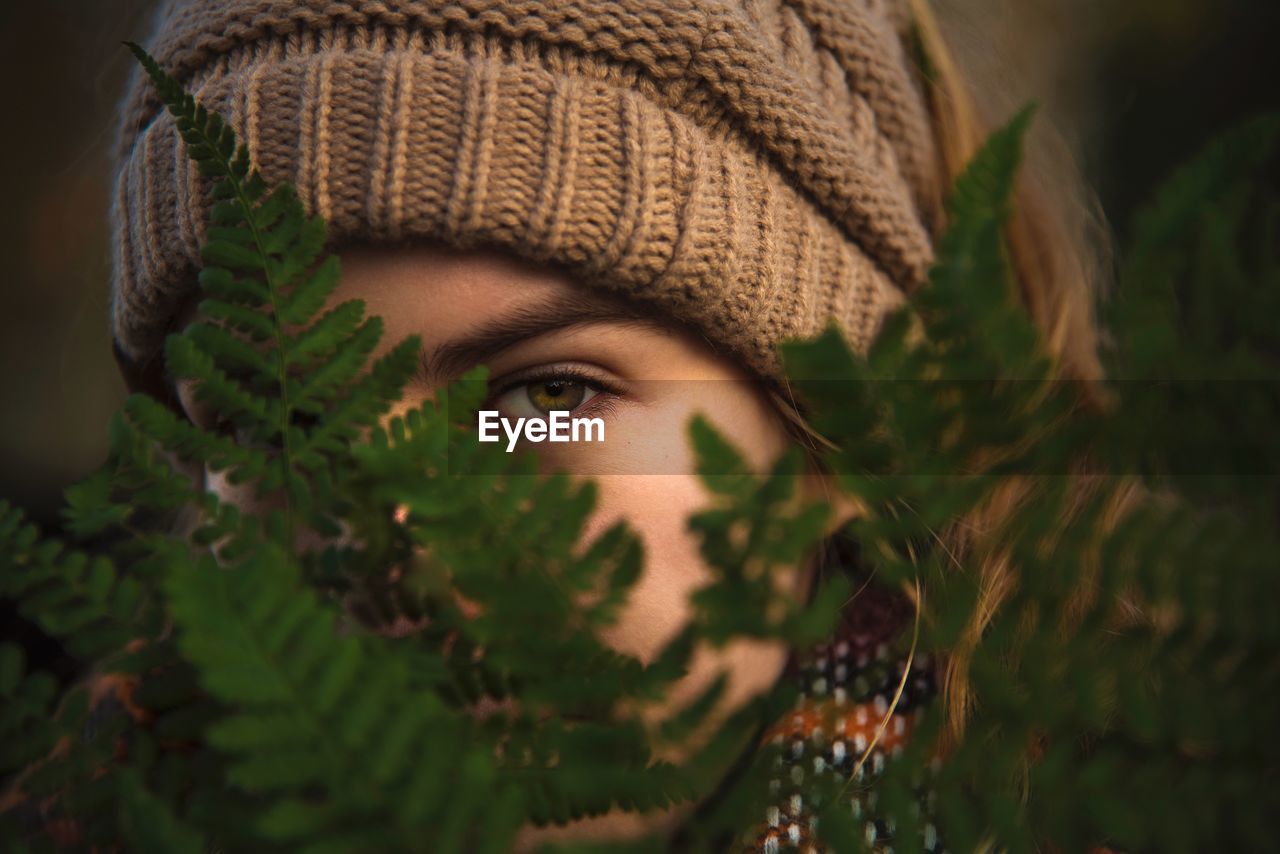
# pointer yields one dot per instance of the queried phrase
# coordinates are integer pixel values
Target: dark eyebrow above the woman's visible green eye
(554, 314)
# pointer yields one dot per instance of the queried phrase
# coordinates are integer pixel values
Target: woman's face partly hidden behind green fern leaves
(555, 345)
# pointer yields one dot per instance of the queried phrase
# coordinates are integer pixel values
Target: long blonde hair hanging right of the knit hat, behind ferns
(1059, 258)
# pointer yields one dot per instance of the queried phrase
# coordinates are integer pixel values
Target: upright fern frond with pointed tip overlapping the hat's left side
(292, 382)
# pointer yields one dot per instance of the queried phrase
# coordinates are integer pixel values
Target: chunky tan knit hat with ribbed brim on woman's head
(755, 168)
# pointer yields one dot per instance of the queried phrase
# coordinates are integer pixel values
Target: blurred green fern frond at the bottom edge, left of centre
(317, 711)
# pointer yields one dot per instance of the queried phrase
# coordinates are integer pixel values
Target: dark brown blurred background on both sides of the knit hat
(1135, 85)
